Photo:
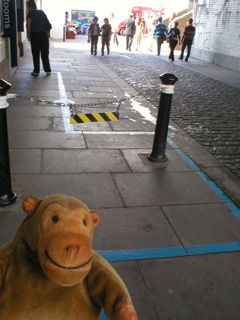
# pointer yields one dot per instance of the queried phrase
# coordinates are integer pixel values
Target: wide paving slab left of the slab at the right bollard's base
(79, 161)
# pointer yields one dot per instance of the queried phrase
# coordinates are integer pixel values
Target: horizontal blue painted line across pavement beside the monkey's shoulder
(168, 252)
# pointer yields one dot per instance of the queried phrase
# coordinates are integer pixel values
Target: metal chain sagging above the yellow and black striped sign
(76, 105)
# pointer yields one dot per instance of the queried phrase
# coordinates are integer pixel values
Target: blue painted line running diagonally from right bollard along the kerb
(222, 196)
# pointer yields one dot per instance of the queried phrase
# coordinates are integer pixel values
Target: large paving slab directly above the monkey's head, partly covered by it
(96, 190)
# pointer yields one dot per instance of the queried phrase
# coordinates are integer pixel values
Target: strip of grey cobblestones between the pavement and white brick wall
(208, 110)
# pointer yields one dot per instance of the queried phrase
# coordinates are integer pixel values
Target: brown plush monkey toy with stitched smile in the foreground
(49, 271)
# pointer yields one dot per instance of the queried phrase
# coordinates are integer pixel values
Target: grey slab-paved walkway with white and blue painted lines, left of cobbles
(171, 232)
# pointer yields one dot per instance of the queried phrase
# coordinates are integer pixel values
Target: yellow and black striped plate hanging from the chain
(94, 117)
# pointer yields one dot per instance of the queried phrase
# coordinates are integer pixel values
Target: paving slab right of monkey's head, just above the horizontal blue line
(133, 228)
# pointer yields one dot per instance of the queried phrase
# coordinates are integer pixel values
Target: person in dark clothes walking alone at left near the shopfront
(38, 28)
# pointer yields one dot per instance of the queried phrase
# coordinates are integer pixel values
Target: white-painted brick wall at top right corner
(217, 36)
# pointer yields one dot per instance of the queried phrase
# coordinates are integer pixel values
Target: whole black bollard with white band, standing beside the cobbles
(160, 138)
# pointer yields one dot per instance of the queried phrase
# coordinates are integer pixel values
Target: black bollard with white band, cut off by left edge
(7, 196)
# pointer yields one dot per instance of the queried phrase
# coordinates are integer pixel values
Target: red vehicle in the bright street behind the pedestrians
(140, 12)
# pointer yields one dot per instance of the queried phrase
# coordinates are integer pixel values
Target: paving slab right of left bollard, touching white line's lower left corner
(42, 139)
